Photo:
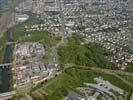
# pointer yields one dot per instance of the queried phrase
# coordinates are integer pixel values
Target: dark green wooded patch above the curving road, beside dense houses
(88, 55)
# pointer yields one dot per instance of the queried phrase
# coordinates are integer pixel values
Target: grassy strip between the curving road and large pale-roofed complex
(70, 79)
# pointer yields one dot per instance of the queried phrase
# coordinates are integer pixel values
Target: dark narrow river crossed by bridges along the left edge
(5, 69)
